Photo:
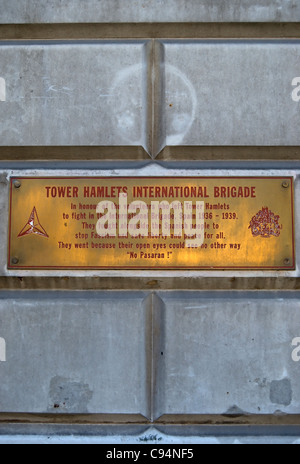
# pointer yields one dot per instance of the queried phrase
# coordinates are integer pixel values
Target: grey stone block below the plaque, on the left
(74, 353)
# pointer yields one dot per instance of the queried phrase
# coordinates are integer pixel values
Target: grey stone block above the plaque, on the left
(73, 94)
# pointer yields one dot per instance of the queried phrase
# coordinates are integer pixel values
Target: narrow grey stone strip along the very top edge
(55, 11)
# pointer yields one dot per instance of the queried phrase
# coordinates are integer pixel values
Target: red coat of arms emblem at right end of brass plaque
(265, 224)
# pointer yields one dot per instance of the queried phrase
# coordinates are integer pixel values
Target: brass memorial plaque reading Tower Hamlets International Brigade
(151, 223)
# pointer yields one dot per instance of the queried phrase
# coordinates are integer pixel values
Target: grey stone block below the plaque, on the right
(228, 354)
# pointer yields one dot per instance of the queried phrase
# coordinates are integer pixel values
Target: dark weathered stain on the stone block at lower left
(67, 396)
